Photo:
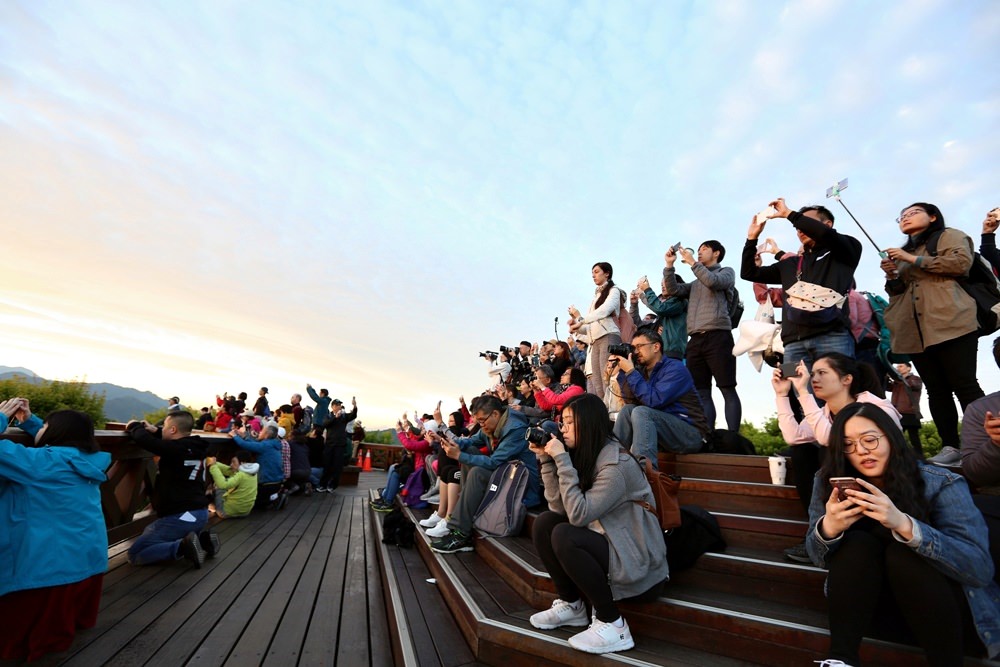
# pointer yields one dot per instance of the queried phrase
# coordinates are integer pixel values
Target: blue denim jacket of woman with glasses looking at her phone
(957, 544)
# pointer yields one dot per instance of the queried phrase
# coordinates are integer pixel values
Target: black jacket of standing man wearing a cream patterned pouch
(831, 263)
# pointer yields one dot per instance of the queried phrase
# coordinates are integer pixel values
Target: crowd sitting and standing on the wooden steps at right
(626, 386)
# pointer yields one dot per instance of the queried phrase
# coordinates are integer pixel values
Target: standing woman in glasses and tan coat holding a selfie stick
(931, 317)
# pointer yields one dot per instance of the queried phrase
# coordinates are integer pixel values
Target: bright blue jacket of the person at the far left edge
(52, 529)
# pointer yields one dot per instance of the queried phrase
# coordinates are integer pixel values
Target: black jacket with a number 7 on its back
(180, 484)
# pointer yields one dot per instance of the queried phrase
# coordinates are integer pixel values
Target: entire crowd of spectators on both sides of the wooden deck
(908, 546)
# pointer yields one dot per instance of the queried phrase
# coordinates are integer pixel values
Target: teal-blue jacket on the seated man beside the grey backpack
(507, 444)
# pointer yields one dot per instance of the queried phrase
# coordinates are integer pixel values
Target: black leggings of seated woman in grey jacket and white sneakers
(577, 560)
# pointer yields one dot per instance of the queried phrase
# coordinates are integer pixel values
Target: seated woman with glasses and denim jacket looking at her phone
(906, 549)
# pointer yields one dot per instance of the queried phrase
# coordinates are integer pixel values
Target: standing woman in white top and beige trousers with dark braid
(598, 328)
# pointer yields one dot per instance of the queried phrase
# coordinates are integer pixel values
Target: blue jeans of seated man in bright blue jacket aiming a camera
(644, 430)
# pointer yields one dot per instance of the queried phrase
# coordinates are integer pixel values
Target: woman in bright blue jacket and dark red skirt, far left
(53, 540)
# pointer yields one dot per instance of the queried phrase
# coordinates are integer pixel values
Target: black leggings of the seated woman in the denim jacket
(875, 578)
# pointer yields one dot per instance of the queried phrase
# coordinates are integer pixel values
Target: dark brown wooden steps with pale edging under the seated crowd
(746, 606)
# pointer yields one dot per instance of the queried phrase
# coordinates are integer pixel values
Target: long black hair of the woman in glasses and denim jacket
(901, 480)
